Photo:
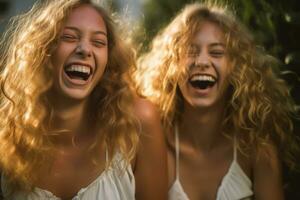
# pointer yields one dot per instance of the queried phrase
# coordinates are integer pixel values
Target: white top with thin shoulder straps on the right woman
(235, 184)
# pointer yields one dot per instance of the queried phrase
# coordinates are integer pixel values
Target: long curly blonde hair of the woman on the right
(259, 109)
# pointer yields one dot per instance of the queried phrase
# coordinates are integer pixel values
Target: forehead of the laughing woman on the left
(86, 17)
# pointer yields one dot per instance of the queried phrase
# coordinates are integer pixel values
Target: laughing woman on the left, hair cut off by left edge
(71, 125)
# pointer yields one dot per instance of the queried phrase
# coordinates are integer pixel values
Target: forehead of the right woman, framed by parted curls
(208, 33)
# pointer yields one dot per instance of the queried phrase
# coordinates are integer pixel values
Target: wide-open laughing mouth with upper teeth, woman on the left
(78, 72)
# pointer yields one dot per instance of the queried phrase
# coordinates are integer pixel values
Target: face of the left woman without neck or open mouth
(83, 41)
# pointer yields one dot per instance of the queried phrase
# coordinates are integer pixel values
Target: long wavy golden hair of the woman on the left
(26, 76)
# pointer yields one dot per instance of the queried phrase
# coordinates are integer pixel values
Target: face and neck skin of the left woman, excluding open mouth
(82, 41)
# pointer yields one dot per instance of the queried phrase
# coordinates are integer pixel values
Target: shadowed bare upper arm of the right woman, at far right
(267, 175)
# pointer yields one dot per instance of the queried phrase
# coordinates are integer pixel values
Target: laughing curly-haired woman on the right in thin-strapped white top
(210, 80)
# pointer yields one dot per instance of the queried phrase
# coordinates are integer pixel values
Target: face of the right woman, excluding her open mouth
(206, 55)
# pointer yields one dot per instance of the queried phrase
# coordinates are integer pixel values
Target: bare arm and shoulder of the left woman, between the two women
(151, 161)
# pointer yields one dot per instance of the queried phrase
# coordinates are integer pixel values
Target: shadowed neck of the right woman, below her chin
(201, 128)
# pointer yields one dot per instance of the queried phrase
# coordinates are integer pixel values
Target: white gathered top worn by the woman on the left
(111, 184)
